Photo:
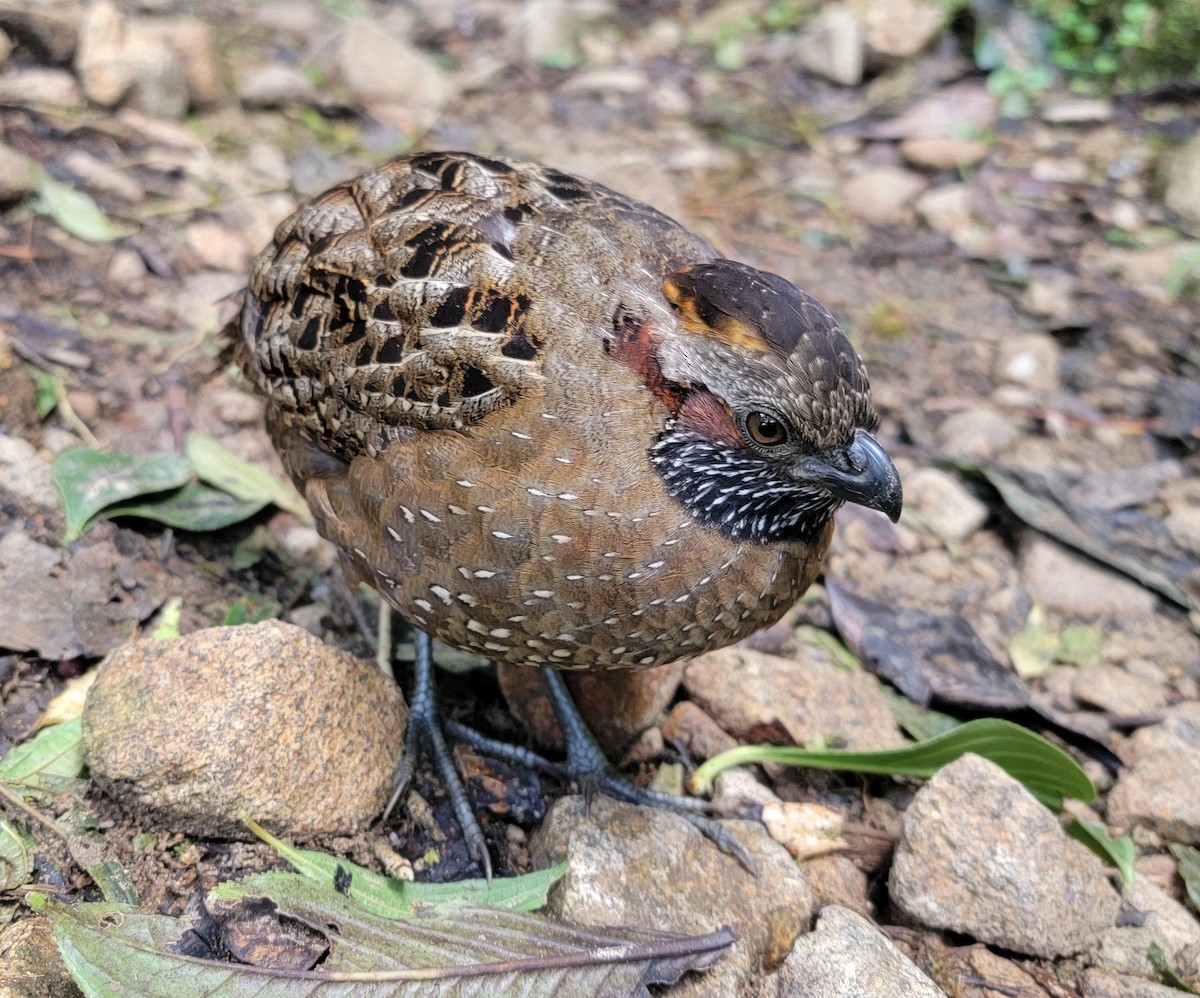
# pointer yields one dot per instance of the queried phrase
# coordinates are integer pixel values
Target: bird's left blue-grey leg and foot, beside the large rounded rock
(425, 729)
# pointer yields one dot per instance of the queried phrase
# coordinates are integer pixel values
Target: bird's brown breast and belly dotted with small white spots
(535, 539)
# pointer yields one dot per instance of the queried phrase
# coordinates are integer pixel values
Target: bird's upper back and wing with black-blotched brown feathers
(445, 287)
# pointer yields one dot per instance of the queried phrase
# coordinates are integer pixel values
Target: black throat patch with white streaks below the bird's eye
(737, 492)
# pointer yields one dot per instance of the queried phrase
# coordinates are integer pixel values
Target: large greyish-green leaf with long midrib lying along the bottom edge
(112, 949)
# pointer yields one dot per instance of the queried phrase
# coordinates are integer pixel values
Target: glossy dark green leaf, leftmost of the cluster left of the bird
(91, 480)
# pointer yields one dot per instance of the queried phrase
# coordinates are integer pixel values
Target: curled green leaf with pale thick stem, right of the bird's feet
(1046, 771)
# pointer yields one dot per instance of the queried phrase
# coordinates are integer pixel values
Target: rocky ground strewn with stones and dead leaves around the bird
(1024, 292)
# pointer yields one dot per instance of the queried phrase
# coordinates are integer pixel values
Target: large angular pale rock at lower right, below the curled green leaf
(980, 856)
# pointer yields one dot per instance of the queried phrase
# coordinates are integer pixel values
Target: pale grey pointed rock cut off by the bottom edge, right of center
(847, 957)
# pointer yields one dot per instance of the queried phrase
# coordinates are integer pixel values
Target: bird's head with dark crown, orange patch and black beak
(773, 420)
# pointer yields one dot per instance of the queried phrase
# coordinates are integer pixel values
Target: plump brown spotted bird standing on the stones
(554, 428)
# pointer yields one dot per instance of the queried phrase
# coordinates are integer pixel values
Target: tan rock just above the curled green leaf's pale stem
(795, 701)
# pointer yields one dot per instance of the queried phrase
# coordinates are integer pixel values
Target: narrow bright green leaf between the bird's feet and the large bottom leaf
(395, 899)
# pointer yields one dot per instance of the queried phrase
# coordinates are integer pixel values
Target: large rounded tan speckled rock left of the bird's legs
(262, 720)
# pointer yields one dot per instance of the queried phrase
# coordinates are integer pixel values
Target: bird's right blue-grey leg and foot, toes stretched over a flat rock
(587, 766)
